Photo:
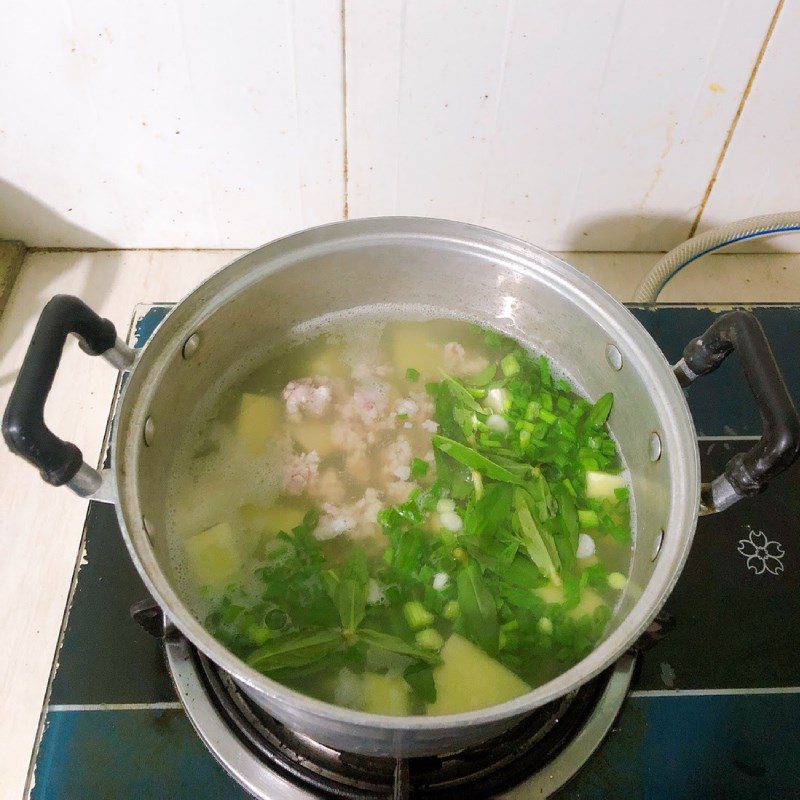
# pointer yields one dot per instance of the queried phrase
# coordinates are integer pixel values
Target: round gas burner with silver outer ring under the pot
(274, 762)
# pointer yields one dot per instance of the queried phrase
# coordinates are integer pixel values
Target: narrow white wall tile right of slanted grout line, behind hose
(761, 170)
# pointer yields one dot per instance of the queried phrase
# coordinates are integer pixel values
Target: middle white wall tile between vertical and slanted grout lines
(575, 124)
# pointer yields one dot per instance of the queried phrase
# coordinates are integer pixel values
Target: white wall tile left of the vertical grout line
(169, 123)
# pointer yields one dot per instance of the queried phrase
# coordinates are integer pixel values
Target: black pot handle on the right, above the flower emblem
(748, 473)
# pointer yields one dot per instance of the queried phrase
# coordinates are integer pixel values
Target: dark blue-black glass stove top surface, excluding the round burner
(715, 706)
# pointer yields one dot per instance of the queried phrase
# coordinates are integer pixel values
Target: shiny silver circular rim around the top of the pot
(524, 258)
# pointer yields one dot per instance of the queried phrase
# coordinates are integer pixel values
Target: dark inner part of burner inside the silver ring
(478, 772)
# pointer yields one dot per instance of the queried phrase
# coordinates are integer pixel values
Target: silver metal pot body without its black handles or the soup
(455, 269)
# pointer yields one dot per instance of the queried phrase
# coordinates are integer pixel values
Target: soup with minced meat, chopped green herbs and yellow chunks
(402, 516)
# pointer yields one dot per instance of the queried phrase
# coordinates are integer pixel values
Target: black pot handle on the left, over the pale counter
(24, 428)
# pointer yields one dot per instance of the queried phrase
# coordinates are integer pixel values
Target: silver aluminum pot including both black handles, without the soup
(457, 269)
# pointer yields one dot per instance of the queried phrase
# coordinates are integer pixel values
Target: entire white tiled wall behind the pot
(573, 123)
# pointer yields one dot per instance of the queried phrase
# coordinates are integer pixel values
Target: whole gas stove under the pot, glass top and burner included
(710, 711)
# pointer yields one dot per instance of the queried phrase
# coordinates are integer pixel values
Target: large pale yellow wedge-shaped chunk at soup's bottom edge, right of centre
(469, 679)
